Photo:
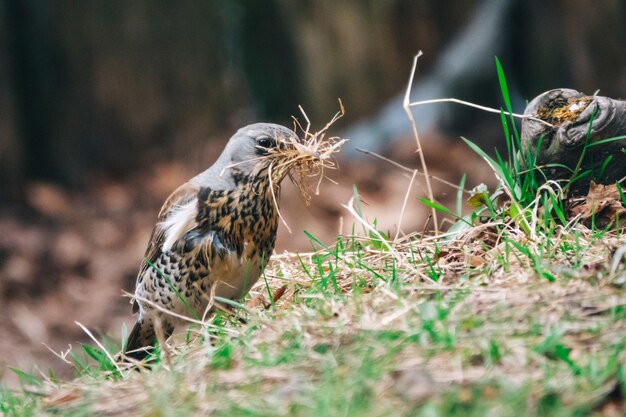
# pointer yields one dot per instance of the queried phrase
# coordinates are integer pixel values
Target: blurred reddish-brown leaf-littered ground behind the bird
(69, 256)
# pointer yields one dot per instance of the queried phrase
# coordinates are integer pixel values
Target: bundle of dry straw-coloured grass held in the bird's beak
(306, 160)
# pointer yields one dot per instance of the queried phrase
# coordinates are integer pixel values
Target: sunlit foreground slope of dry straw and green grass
(357, 330)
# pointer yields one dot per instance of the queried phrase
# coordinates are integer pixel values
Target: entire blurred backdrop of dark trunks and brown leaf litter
(106, 107)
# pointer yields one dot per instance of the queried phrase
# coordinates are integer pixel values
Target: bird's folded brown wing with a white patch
(175, 219)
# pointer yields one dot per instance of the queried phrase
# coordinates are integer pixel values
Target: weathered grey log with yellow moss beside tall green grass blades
(581, 125)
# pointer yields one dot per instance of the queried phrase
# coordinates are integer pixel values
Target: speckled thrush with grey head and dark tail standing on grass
(214, 235)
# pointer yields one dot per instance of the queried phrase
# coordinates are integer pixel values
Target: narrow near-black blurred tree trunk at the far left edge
(38, 75)
